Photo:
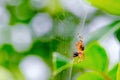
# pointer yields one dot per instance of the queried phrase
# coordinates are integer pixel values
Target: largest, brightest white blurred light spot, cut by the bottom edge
(34, 68)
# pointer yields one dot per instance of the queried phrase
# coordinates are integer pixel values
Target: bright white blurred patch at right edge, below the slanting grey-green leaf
(112, 47)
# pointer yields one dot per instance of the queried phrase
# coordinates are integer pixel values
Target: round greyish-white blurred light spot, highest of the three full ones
(41, 23)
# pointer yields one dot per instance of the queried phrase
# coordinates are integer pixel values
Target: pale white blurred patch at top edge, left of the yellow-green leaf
(78, 7)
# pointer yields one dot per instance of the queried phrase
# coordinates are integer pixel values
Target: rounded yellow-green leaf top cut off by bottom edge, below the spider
(90, 76)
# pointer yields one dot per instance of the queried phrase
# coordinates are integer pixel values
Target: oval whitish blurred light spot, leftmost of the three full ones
(21, 37)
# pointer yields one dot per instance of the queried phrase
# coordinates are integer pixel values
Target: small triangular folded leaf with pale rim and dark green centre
(60, 62)
